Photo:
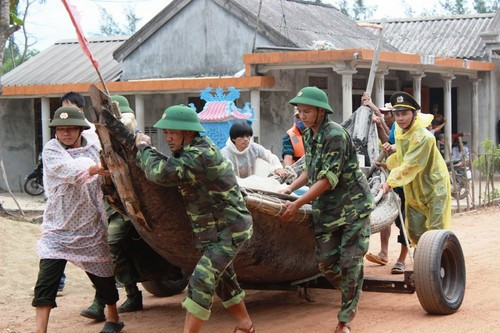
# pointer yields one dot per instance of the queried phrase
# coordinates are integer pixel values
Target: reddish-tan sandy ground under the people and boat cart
(271, 311)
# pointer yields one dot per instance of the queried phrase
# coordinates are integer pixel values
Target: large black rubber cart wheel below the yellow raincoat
(439, 272)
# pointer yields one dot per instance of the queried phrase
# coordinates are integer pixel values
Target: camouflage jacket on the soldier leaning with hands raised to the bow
(208, 186)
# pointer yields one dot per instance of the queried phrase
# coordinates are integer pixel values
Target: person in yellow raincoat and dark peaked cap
(419, 167)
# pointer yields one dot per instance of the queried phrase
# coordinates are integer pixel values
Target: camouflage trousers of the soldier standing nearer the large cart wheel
(340, 257)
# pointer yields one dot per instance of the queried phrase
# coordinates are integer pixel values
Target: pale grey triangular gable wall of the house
(203, 39)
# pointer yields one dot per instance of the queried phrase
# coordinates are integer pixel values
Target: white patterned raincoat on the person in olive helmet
(74, 221)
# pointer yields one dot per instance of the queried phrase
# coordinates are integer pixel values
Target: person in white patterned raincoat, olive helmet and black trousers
(74, 224)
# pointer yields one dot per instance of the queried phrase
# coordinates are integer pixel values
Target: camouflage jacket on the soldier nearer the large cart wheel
(332, 155)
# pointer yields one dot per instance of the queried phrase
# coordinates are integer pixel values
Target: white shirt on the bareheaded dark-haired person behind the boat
(244, 161)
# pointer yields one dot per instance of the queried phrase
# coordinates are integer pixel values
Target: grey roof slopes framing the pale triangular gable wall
(291, 23)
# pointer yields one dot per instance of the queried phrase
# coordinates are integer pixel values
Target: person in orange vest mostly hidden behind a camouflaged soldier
(293, 146)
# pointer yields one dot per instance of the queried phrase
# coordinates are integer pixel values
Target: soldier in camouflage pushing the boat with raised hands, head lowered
(220, 220)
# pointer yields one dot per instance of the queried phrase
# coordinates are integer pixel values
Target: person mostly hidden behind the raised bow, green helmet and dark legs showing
(120, 230)
